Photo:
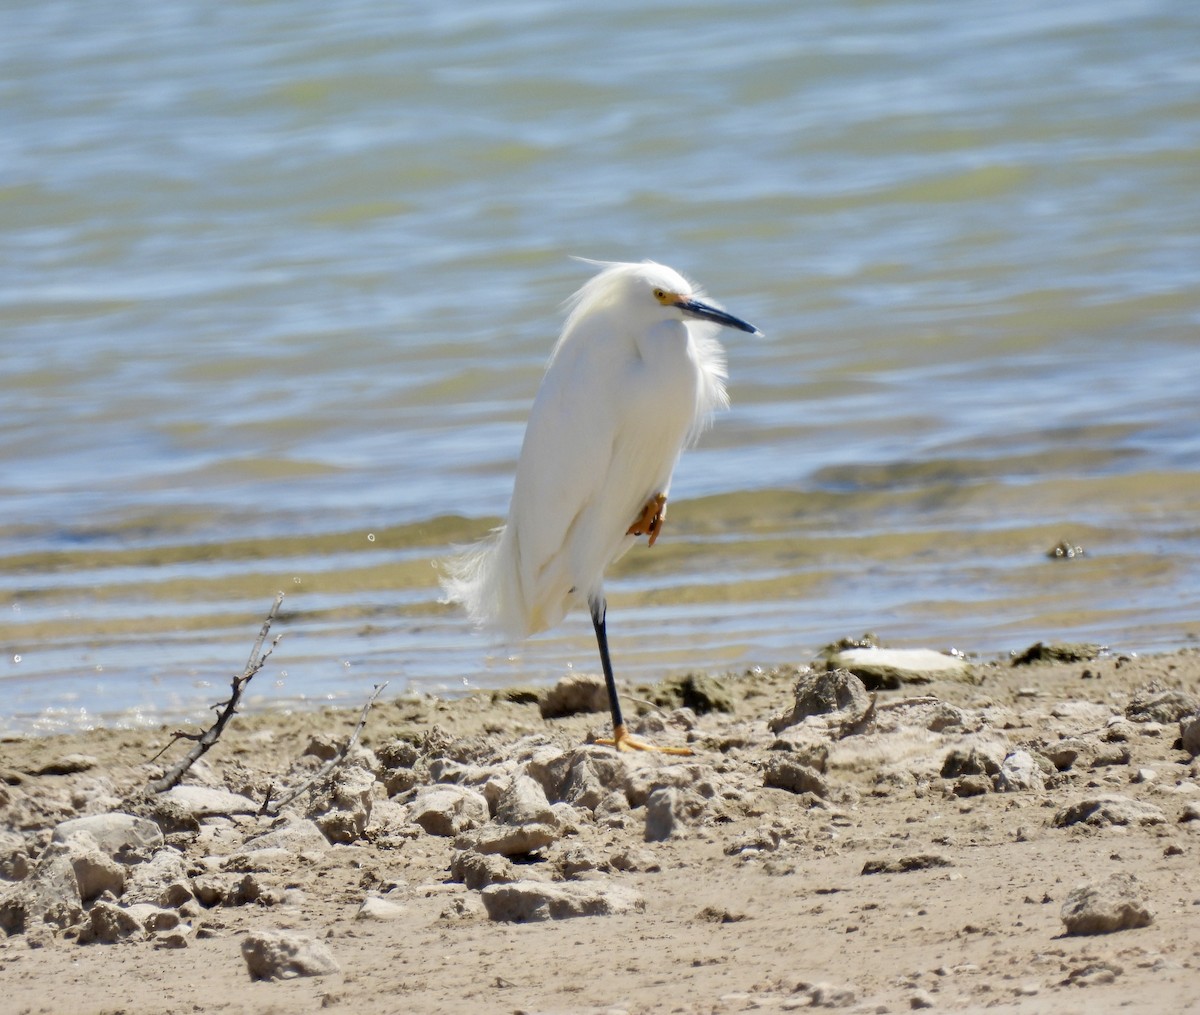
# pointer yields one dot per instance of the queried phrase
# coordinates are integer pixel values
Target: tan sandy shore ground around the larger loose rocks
(748, 896)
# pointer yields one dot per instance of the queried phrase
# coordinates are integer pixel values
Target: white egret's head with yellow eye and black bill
(651, 292)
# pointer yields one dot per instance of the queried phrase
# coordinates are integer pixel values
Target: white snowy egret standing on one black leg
(634, 379)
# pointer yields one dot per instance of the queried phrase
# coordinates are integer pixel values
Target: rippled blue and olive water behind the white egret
(278, 283)
